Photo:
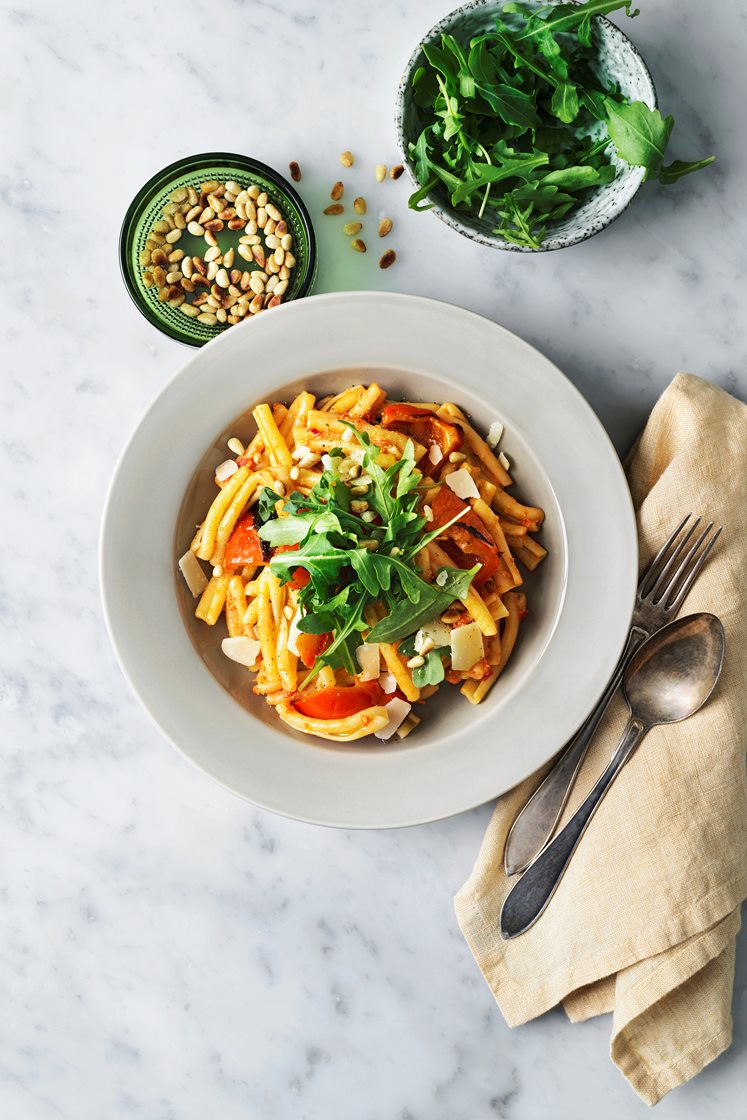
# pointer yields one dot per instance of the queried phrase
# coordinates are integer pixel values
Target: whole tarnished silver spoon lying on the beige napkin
(669, 678)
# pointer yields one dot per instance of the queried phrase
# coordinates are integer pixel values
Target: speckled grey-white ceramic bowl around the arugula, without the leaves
(620, 61)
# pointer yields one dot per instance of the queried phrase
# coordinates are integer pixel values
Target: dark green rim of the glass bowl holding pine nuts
(183, 166)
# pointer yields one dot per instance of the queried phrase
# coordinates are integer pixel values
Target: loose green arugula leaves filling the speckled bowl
(518, 125)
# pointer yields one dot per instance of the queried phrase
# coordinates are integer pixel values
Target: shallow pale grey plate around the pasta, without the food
(581, 599)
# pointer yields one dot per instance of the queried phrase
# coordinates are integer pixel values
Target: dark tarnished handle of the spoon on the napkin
(528, 900)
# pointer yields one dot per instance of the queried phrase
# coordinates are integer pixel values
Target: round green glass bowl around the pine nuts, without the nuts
(146, 209)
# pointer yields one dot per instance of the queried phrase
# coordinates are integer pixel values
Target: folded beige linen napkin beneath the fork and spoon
(646, 919)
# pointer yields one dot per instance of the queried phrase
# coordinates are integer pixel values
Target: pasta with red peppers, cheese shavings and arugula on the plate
(365, 553)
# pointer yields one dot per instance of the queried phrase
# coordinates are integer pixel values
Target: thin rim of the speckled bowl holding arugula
(449, 217)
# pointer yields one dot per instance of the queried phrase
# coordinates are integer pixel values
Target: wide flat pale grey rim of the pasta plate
(362, 795)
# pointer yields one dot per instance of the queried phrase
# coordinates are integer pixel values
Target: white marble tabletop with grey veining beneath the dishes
(167, 951)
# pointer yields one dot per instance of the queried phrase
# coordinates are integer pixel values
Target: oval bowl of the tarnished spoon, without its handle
(674, 674)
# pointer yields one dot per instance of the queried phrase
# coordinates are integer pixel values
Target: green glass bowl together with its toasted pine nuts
(212, 241)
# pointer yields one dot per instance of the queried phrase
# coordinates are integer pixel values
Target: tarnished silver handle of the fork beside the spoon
(539, 818)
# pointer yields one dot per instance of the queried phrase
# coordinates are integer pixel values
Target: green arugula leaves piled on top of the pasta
(354, 564)
